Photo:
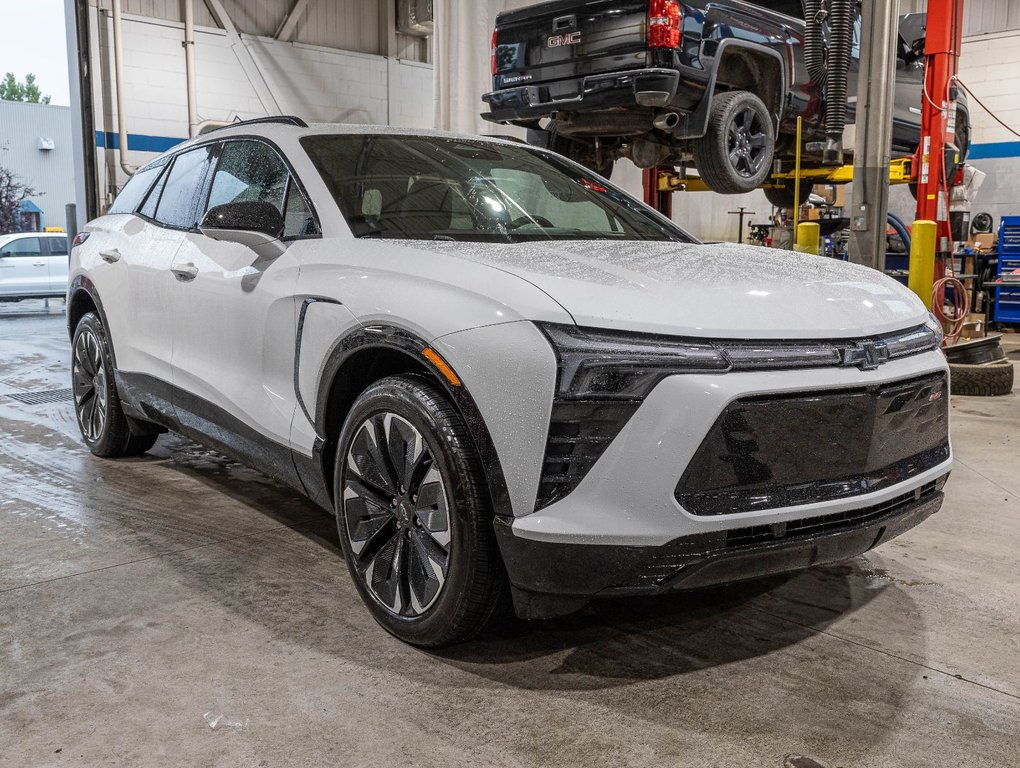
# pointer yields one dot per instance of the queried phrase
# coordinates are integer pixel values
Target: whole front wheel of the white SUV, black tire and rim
(415, 517)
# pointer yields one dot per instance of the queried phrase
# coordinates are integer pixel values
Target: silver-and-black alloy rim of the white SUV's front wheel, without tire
(396, 515)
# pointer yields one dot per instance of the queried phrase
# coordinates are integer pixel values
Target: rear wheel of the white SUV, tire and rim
(101, 421)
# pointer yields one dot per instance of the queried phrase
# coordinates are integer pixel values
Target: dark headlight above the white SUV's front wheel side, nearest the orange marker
(597, 365)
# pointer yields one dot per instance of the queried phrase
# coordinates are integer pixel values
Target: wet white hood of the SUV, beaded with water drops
(712, 291)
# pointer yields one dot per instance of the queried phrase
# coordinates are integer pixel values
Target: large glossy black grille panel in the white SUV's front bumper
(771, 452)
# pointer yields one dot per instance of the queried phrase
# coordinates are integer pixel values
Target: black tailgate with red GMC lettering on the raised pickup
(558, 43)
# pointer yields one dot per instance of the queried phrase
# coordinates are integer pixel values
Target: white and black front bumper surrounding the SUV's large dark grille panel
(624, 532)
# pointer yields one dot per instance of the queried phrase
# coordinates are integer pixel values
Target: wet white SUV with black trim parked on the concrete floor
(503, 375)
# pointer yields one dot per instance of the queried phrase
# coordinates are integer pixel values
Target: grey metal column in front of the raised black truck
(874, 133)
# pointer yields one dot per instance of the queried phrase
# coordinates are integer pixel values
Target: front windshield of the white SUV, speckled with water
(431, 188)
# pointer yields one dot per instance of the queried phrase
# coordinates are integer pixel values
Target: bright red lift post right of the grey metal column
(942, 50)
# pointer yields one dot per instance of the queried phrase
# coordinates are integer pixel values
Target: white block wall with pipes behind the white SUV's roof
(315, 83)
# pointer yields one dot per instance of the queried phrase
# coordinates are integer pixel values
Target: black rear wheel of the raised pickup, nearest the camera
(736, 153)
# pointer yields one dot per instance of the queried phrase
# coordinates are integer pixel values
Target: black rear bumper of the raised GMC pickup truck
(645, 88)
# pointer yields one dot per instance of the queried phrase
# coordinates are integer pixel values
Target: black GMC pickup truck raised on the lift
(717, 85)
